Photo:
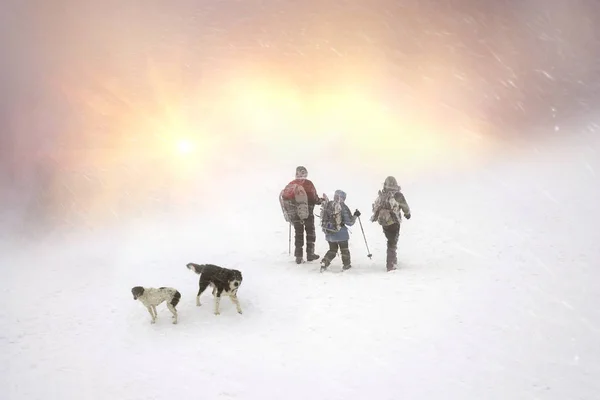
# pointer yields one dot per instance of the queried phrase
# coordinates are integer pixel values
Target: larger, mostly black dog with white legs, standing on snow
(223, 281)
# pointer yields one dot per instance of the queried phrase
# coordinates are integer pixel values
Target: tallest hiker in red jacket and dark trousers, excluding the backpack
(308, 224)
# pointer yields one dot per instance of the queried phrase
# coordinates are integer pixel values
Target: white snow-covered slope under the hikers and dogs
(496, 296)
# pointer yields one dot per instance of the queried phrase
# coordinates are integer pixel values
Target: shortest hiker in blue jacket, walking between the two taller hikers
(339, 240)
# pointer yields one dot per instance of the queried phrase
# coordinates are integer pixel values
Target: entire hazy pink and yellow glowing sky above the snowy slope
(95, 96)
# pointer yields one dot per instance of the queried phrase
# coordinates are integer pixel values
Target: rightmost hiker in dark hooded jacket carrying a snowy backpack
(388, 214)
